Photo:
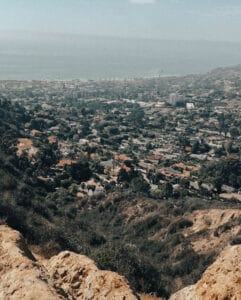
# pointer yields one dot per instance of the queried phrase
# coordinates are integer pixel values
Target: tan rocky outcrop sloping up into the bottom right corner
(221, 281)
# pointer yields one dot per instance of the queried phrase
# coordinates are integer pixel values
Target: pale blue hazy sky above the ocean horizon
(164, 19)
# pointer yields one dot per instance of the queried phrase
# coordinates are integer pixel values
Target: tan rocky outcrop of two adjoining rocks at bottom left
(64, 276)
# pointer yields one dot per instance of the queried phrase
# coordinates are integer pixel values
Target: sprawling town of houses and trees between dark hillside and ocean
(118, 124)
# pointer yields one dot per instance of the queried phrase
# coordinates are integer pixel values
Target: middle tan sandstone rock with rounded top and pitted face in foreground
(77, 276)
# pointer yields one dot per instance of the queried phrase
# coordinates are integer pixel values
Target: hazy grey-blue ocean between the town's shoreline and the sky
(82, 57)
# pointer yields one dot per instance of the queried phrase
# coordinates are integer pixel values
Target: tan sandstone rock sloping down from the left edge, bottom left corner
(21, 277)
